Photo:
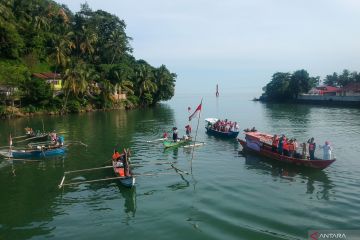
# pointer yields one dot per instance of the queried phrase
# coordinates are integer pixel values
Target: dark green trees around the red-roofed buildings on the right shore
(287, 86)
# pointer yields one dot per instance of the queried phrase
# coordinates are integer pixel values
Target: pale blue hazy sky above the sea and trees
(239, 44)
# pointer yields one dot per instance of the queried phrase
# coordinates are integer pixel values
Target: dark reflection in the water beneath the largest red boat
(317, 182)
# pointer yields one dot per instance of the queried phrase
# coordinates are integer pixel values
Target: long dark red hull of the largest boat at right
(317, 164)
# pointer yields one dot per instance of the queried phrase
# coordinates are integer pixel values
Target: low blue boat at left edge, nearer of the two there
(36, 152)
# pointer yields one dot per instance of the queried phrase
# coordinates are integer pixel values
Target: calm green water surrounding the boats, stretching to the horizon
(229, 195)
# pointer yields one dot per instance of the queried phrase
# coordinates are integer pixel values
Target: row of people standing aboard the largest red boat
(289, 148)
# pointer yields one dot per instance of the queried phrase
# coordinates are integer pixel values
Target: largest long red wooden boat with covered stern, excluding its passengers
(260, 143)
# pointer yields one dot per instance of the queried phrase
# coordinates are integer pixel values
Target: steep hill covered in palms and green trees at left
(89, 49)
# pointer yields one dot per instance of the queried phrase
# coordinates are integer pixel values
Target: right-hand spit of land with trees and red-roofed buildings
(300, 87)
